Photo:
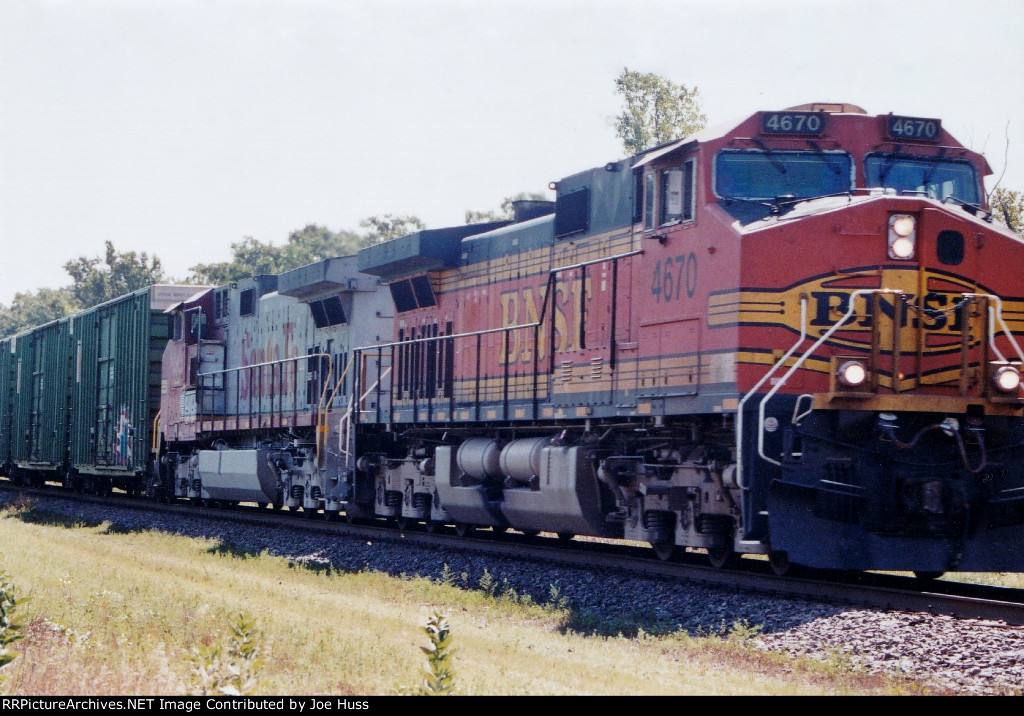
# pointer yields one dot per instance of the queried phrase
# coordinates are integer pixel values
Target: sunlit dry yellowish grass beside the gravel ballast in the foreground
(114, 612)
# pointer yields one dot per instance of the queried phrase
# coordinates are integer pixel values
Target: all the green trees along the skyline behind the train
(656, 111)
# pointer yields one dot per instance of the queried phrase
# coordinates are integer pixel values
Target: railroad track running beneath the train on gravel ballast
(876, 591)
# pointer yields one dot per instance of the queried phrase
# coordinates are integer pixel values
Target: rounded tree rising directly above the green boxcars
(99, 280)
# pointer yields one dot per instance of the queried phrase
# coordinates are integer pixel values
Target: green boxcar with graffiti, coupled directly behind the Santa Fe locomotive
(115, 386)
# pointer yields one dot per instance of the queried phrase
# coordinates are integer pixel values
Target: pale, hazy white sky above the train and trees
(179, 128)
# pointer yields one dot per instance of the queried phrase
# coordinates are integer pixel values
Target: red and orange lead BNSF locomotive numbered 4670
(797, 335)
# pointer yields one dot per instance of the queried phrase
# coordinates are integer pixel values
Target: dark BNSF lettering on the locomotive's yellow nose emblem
(933, 314)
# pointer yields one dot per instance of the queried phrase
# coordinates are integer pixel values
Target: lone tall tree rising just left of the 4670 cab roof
(657, 111)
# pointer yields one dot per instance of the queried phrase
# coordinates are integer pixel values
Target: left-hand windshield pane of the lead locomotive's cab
(767, 175)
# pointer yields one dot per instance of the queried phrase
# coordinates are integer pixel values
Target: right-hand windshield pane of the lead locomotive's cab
(938, 179)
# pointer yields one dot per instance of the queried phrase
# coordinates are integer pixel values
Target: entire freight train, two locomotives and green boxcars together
(798, 335)
